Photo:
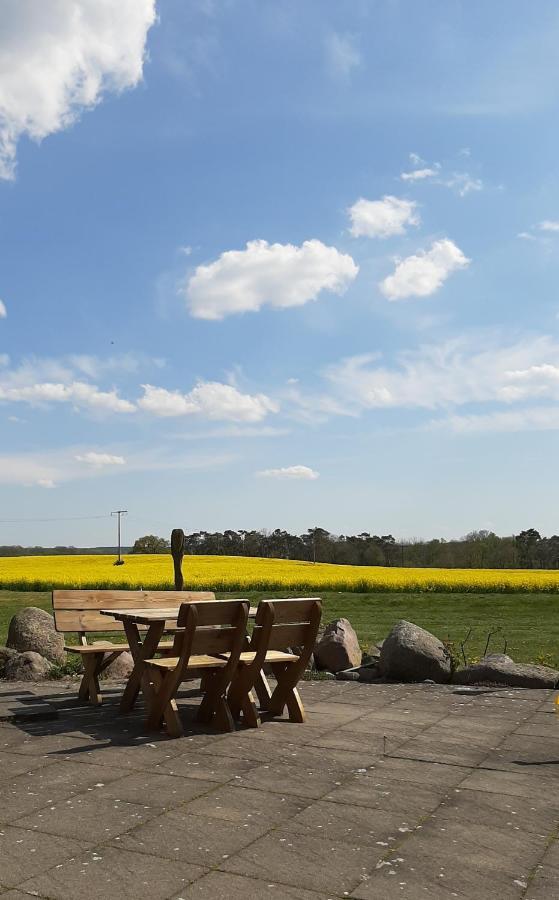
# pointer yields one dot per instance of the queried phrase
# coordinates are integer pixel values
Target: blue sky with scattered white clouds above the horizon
(278, 264)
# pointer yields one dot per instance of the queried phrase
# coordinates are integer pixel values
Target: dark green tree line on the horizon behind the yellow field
(478, 549)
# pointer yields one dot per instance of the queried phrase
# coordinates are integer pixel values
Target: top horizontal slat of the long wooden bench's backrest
(123, 599)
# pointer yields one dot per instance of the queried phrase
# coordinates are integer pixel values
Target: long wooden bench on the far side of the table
(78, 611)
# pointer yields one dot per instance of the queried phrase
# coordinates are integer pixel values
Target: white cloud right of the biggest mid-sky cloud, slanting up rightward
(425, 272)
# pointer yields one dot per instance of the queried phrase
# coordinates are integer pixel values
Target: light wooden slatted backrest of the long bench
(79, 610)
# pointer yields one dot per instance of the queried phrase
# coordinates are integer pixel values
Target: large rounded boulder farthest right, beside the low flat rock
(410, 653)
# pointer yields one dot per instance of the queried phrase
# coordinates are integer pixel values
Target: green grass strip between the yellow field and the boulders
(528, 622)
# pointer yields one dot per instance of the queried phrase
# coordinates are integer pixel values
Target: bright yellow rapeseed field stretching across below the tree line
(234, 573)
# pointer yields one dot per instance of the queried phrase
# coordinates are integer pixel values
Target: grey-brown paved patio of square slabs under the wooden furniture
(387, 791)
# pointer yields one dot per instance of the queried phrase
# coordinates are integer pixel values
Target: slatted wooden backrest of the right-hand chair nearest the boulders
(290, 623)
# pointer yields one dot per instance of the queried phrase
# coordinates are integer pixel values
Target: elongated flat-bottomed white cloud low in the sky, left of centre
(209, 399)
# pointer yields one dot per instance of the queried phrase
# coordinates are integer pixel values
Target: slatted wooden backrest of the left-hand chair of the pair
(211, 628)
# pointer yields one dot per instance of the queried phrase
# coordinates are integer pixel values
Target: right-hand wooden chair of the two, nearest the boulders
(279, 624)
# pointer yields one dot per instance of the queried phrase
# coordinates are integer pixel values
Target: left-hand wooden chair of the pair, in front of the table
(210, 629)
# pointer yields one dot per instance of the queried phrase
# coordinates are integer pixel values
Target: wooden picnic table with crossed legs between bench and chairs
(156, 621)
